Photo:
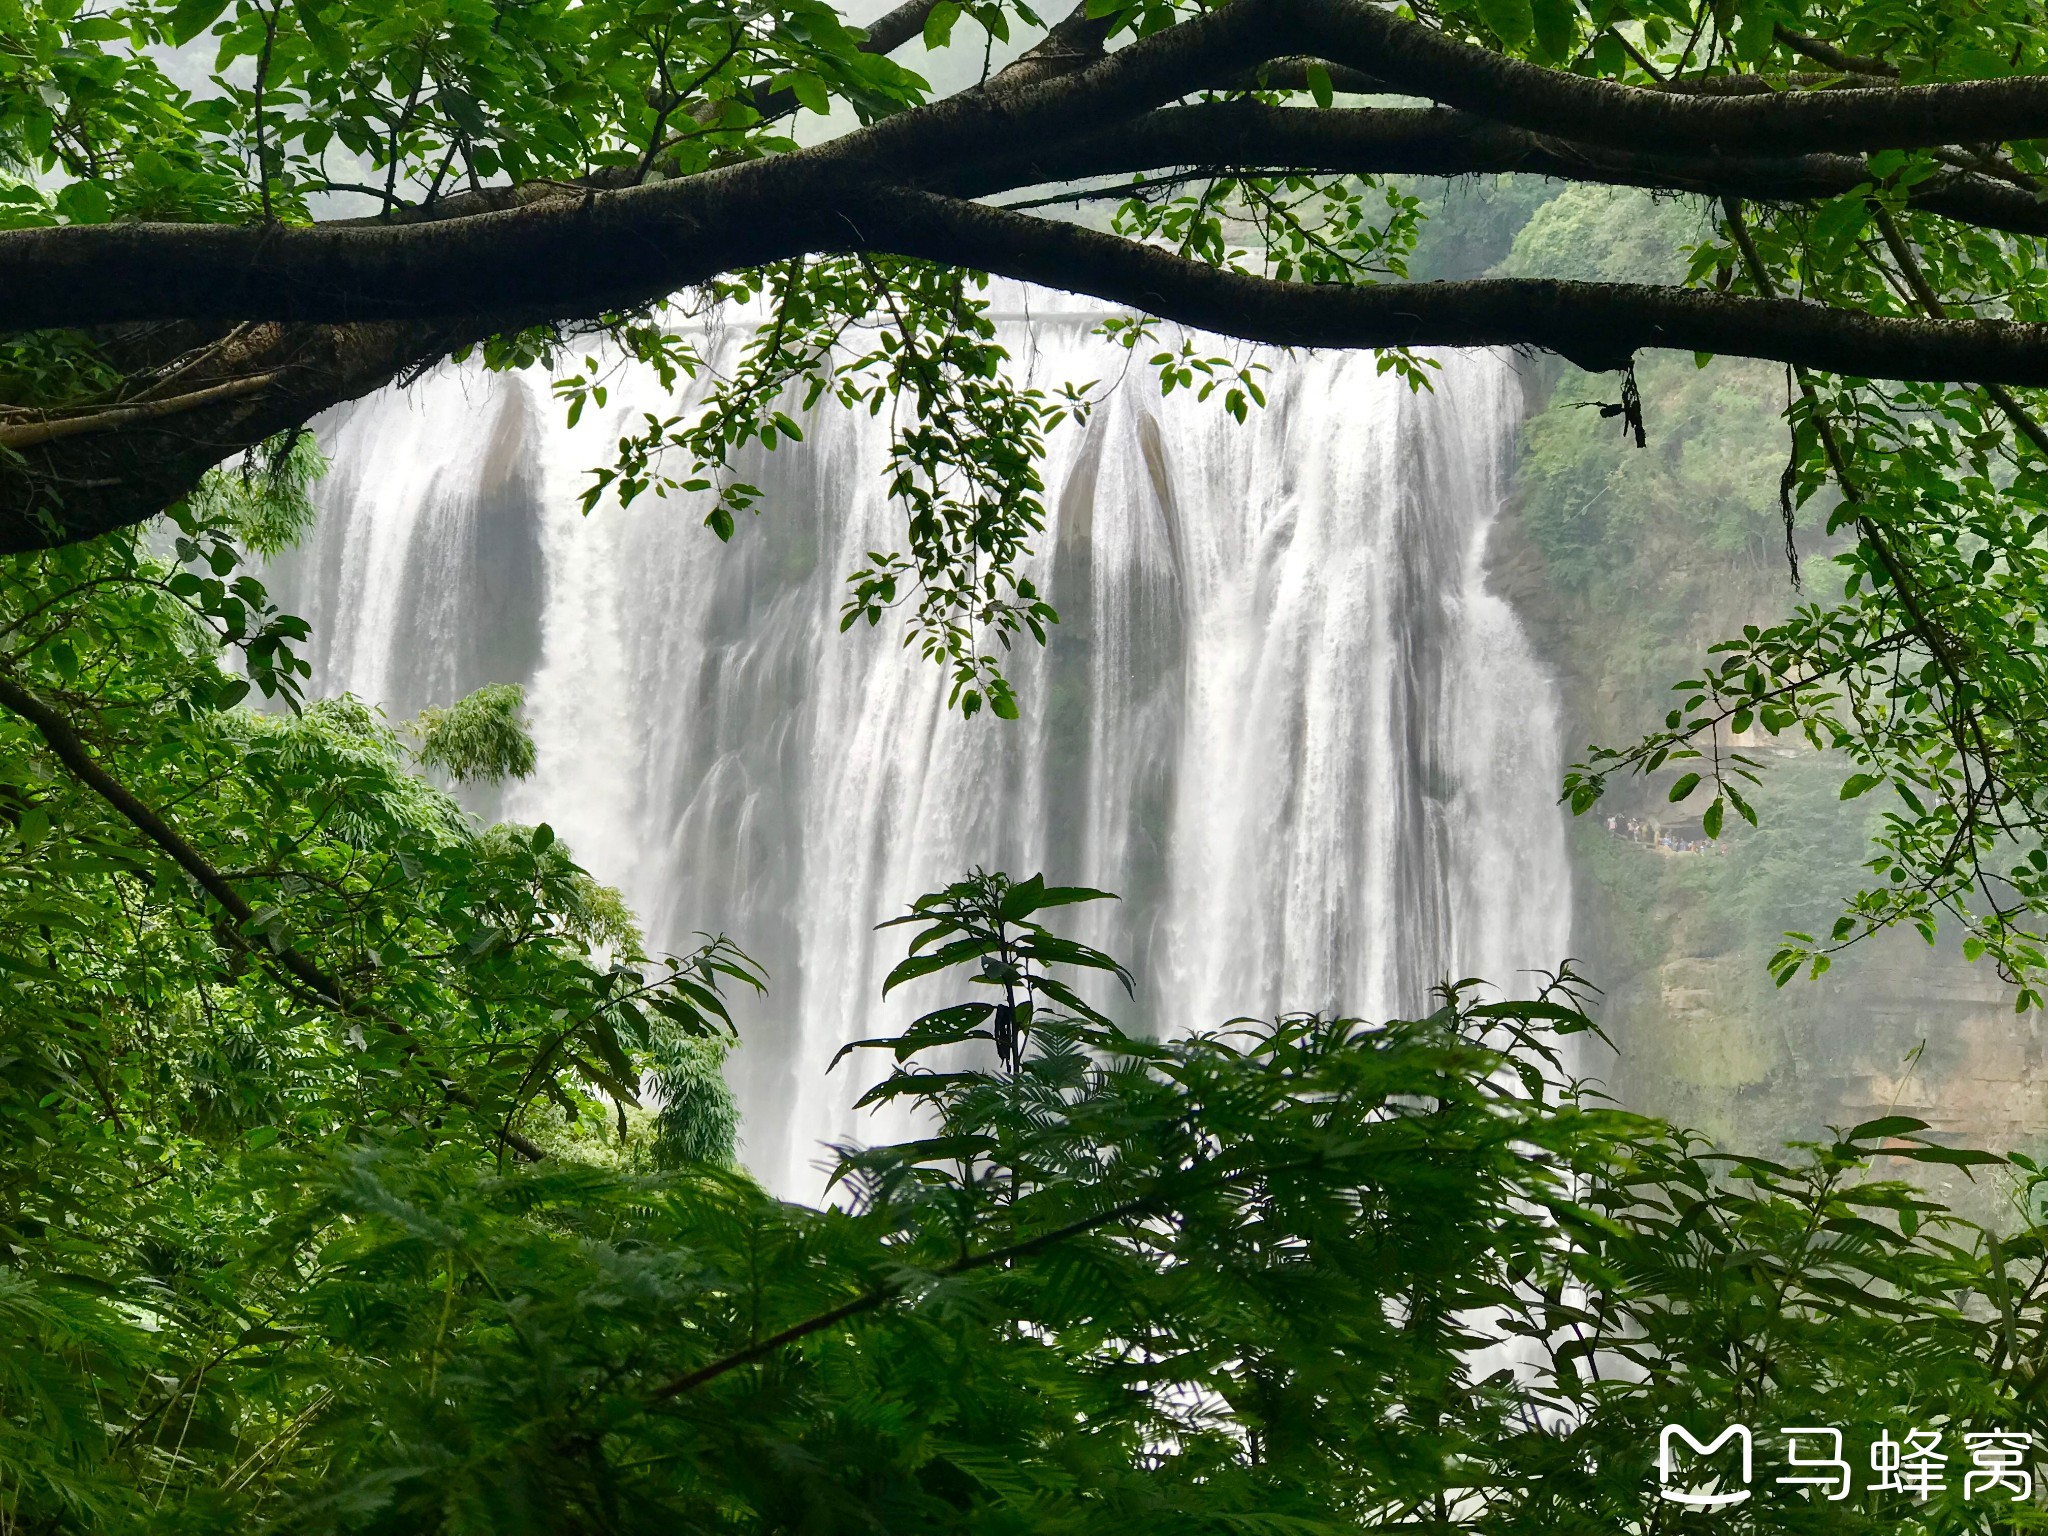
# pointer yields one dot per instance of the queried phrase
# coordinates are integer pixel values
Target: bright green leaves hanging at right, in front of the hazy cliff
(1914, 675)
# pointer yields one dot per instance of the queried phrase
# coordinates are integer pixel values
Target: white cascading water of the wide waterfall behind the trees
(1281, 716)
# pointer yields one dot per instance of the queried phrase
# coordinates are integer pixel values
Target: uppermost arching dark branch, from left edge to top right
(581, 251)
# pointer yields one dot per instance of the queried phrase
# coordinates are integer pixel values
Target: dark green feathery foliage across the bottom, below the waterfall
(1289, 1275)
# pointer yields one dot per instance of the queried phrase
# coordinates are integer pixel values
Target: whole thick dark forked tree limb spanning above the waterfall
(312, 316)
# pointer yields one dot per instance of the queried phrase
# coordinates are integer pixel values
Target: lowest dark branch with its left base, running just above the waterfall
(529, 265)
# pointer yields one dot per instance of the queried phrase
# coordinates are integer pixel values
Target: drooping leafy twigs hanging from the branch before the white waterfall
(966, 443)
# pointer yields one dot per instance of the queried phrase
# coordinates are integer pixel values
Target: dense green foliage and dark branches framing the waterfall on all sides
(361, 1168)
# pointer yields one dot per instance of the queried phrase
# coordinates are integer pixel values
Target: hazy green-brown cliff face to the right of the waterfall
(1629, 566)
